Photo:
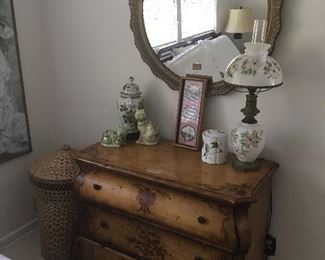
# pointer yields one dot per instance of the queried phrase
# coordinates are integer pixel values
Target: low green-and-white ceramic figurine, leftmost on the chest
(114, 139)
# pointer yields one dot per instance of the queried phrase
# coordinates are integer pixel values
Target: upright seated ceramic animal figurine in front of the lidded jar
(149, 134)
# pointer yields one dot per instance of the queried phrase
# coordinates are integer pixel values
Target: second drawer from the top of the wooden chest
(142, 240)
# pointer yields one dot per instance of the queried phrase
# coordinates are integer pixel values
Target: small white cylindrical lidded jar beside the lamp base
(214, 149)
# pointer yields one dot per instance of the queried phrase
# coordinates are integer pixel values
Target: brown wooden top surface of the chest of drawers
(180, 169)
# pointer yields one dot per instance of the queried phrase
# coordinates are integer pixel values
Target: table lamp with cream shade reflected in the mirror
(240, 21)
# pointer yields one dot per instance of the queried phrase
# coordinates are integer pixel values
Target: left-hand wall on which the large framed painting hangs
(16, 206)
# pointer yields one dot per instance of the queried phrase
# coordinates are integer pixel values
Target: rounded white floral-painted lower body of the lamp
(248, 141)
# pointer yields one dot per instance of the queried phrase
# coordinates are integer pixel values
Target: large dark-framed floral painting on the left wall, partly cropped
(14, 131)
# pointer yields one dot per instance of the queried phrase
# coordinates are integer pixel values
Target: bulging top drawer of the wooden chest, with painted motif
(176, 210)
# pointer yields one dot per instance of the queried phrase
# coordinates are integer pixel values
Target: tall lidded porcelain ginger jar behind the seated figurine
(130, 99)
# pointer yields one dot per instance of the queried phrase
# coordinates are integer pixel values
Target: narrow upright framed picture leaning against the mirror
(190, 110)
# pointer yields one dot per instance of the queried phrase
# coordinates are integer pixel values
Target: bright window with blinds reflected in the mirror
(160, 18)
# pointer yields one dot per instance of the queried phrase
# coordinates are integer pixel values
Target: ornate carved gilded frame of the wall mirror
(168, 76)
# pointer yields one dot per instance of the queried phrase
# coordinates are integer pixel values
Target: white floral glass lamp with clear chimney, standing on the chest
(254, 71)
